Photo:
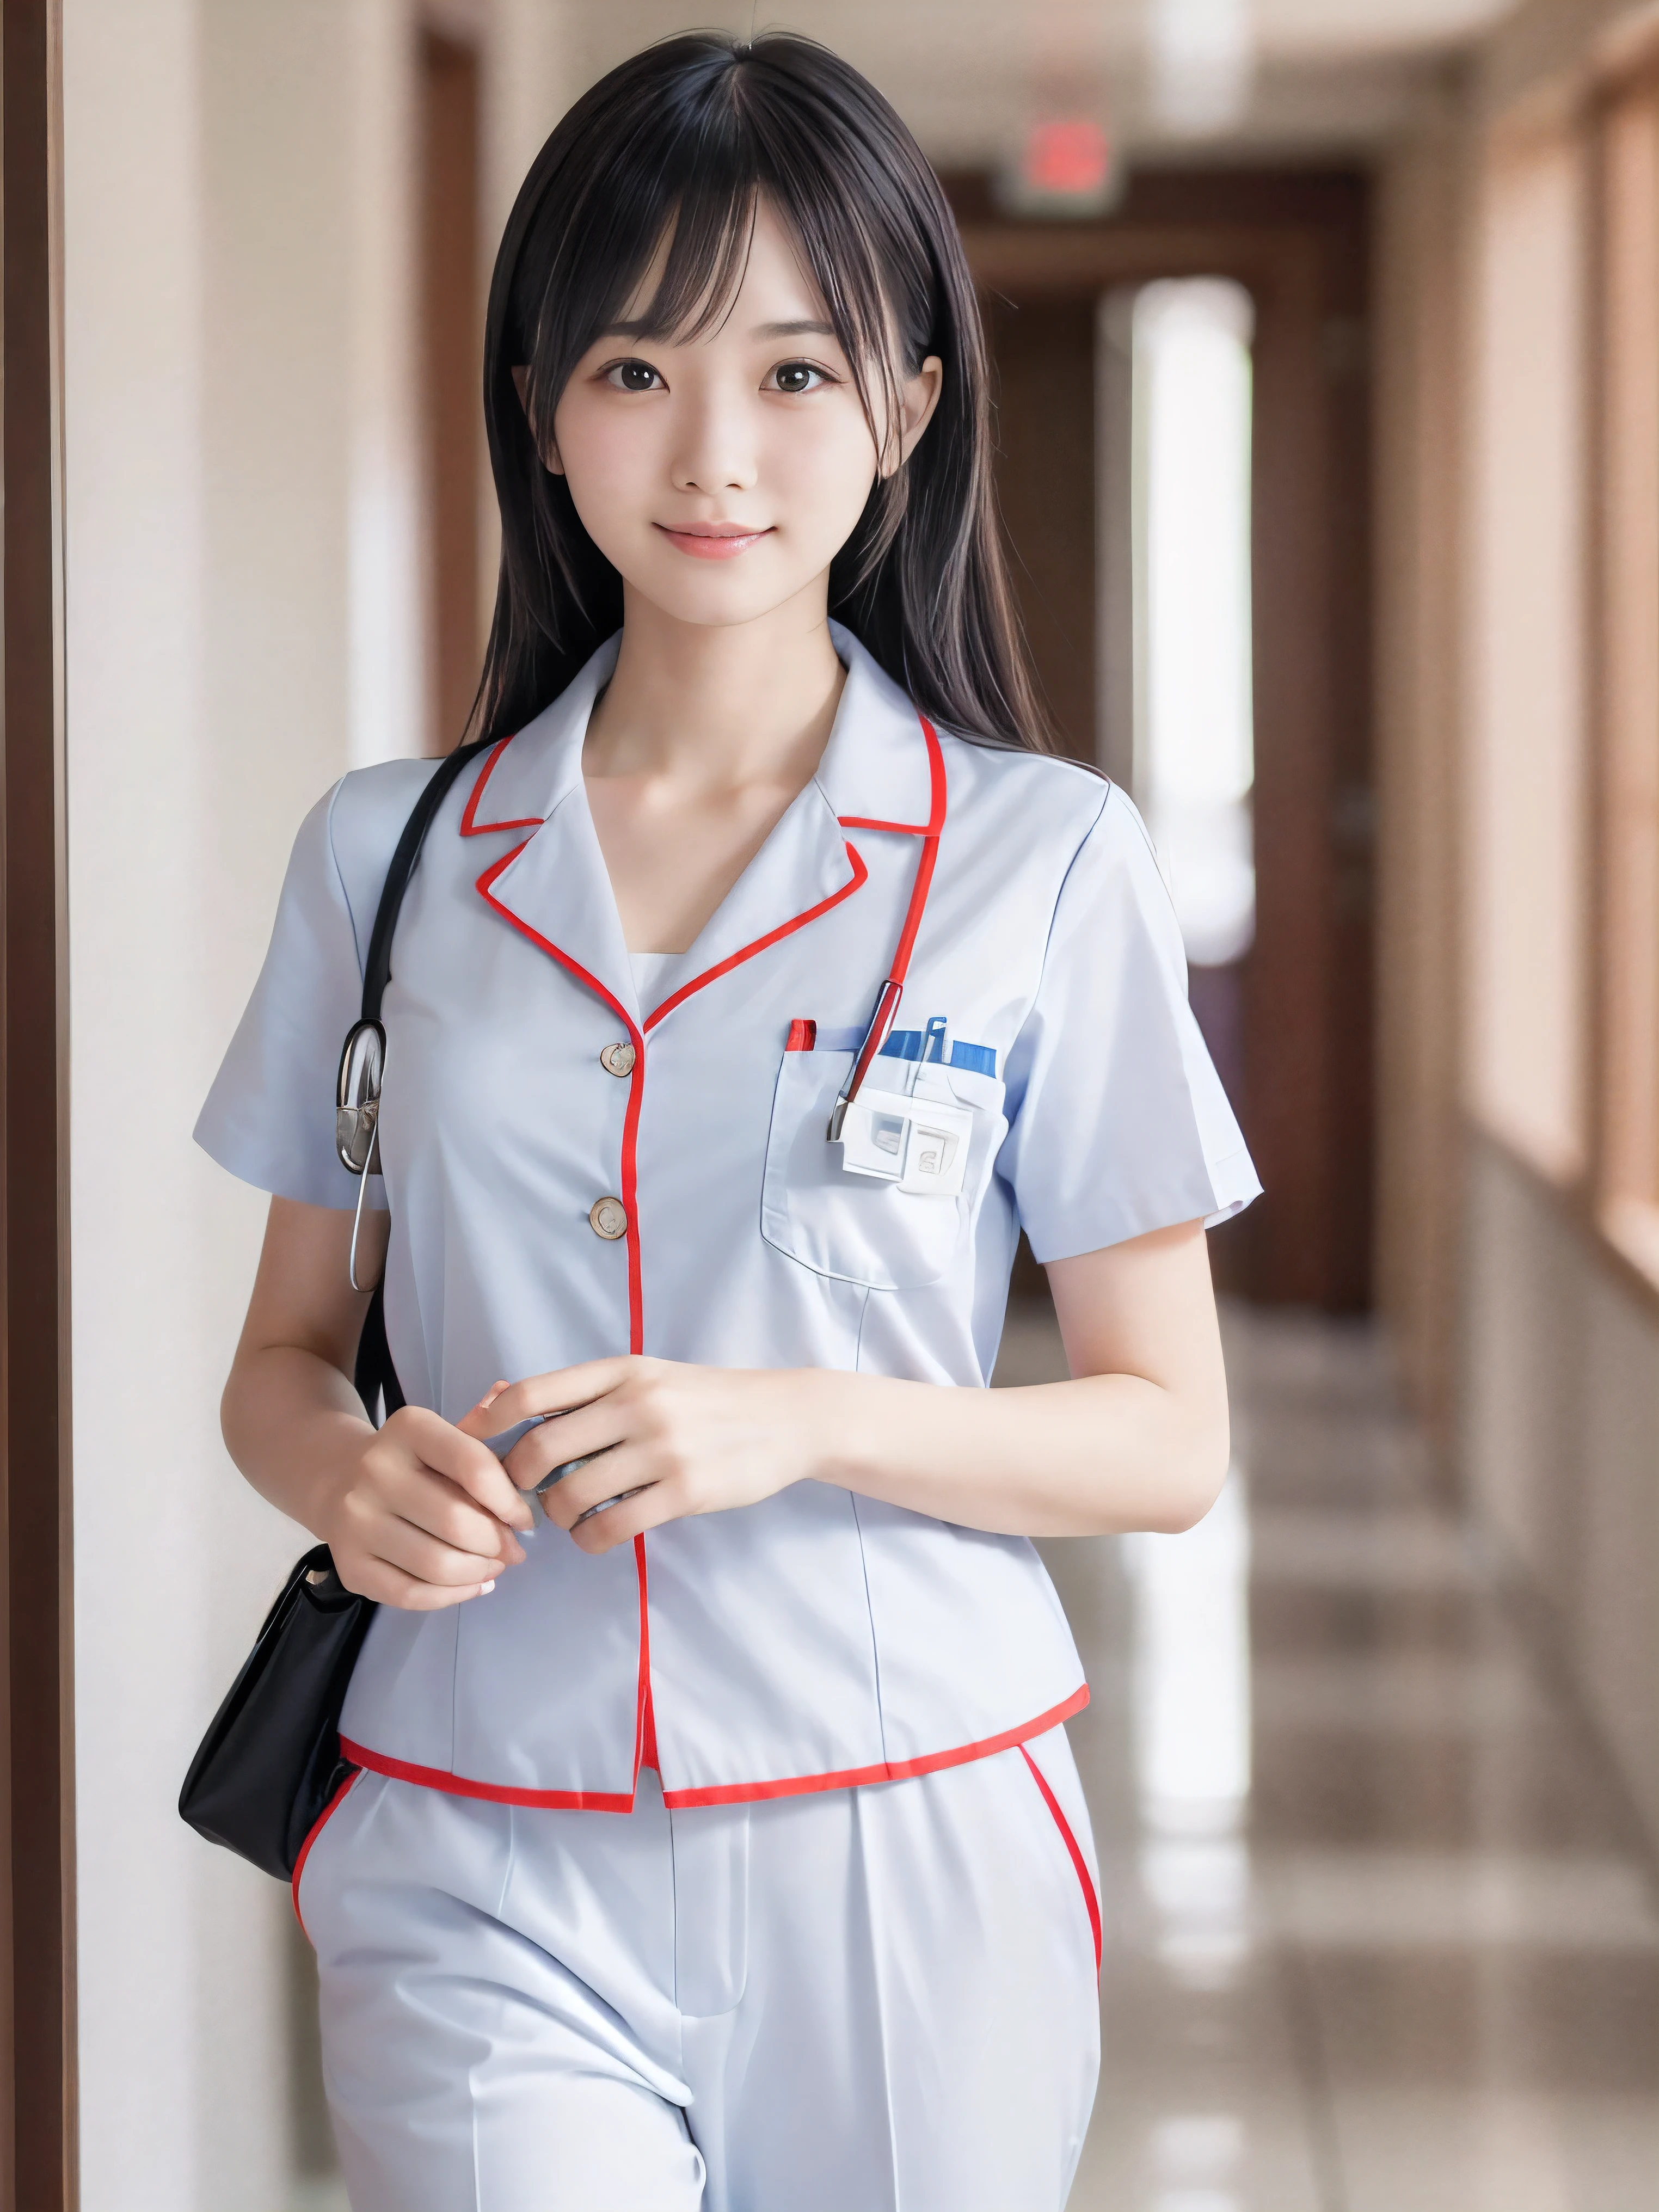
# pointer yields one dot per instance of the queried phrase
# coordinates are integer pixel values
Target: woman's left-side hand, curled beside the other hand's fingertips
(426, 1516)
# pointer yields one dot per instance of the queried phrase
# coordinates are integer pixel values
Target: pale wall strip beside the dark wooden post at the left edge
(149, 1510)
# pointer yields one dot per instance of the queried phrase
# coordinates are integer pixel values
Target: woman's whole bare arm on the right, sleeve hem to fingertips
(1136, 1441)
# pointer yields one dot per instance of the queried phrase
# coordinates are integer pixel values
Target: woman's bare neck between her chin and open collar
(718, 707)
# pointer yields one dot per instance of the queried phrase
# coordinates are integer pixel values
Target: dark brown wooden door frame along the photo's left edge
(39, 2169)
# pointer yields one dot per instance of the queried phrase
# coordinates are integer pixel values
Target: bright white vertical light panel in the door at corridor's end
(1193, 671)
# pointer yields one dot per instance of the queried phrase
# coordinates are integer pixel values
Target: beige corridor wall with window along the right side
(1527, 1339)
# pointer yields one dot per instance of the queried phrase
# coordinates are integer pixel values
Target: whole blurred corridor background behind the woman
(1328, 364)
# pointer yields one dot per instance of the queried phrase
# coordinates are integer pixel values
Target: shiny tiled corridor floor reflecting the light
(1379, 1930)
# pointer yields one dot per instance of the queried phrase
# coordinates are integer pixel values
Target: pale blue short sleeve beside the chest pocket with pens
(1118, 1123)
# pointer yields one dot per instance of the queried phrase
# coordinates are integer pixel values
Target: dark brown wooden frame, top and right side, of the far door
(1297, 240)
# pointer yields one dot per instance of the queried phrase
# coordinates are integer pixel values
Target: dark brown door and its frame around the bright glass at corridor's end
(1300, 244)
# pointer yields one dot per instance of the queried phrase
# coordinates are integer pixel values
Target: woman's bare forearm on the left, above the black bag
(295, 1428)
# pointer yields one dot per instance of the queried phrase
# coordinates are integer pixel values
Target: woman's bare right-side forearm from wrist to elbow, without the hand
(1094, 1457)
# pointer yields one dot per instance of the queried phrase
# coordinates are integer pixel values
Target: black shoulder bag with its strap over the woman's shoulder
(271, 1760)
